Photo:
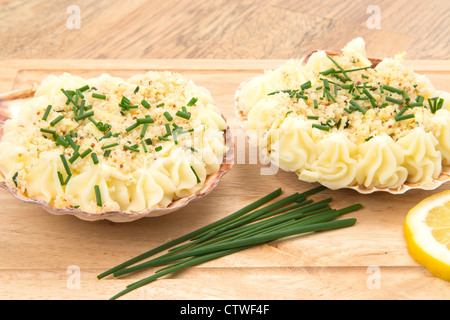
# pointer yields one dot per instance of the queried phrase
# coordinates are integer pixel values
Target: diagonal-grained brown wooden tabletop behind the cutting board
(220, 29)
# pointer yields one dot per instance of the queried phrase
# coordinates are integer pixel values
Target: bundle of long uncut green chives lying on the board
(245, 228)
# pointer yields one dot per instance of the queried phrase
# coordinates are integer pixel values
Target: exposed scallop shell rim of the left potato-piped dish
(10, 103)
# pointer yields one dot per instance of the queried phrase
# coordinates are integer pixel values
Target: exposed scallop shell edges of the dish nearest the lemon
(434, 184)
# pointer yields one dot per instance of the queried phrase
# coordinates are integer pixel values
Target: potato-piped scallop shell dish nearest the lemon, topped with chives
(349, 121)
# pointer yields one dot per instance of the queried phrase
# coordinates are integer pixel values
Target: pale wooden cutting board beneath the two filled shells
(58, 257)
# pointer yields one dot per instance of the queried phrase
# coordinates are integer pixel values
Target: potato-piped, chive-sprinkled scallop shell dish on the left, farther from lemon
(108, 148)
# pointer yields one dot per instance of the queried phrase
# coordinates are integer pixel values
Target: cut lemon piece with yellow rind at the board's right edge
(427, 233)
